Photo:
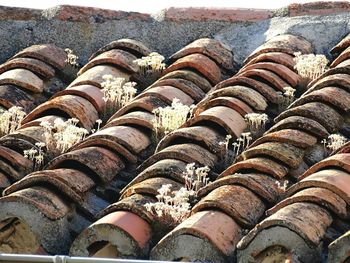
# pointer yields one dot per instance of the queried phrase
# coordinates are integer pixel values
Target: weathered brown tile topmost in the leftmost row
(47, 53)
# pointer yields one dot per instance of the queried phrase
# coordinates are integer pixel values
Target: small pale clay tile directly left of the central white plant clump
(138, 118)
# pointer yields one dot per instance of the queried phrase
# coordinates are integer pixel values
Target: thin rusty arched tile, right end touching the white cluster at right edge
(301, 123)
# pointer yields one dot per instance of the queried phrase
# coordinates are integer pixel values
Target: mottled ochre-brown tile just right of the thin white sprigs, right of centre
(286, 153)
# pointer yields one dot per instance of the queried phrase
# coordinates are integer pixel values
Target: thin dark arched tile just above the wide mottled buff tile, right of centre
(268, 92)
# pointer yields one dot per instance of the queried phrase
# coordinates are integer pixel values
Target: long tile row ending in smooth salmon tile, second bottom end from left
(221, 113)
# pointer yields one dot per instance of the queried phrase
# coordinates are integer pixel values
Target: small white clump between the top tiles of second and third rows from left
(153, 63)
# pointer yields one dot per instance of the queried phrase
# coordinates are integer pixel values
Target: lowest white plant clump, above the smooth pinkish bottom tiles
(172, 207)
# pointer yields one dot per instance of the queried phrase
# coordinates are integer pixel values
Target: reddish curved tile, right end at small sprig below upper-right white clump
(266, 76)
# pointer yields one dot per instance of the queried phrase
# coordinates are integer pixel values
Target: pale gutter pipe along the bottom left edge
(64, 259)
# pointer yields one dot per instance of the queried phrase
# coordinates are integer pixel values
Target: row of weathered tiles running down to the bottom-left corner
(59, 202)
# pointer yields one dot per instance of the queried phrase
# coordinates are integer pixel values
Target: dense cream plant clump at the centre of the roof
(170, 118)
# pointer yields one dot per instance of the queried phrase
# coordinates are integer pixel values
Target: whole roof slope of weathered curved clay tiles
(282, 198)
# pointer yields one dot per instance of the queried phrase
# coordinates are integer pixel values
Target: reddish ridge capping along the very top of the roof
(91, 14)
